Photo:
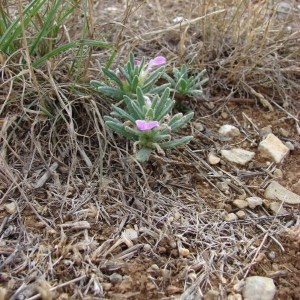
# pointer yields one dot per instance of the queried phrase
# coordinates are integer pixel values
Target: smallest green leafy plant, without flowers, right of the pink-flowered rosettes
(186, 85)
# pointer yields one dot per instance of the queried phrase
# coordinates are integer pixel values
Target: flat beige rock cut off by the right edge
(275, 191)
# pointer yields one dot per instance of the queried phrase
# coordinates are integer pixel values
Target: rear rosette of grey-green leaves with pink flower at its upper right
(132, 75)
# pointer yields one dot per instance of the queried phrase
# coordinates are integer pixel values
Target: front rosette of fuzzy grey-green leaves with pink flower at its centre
(148, 123)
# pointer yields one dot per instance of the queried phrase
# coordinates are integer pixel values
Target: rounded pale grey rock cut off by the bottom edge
(259, 288)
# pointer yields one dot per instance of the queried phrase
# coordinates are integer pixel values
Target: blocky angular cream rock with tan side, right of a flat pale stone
(273, 148)
